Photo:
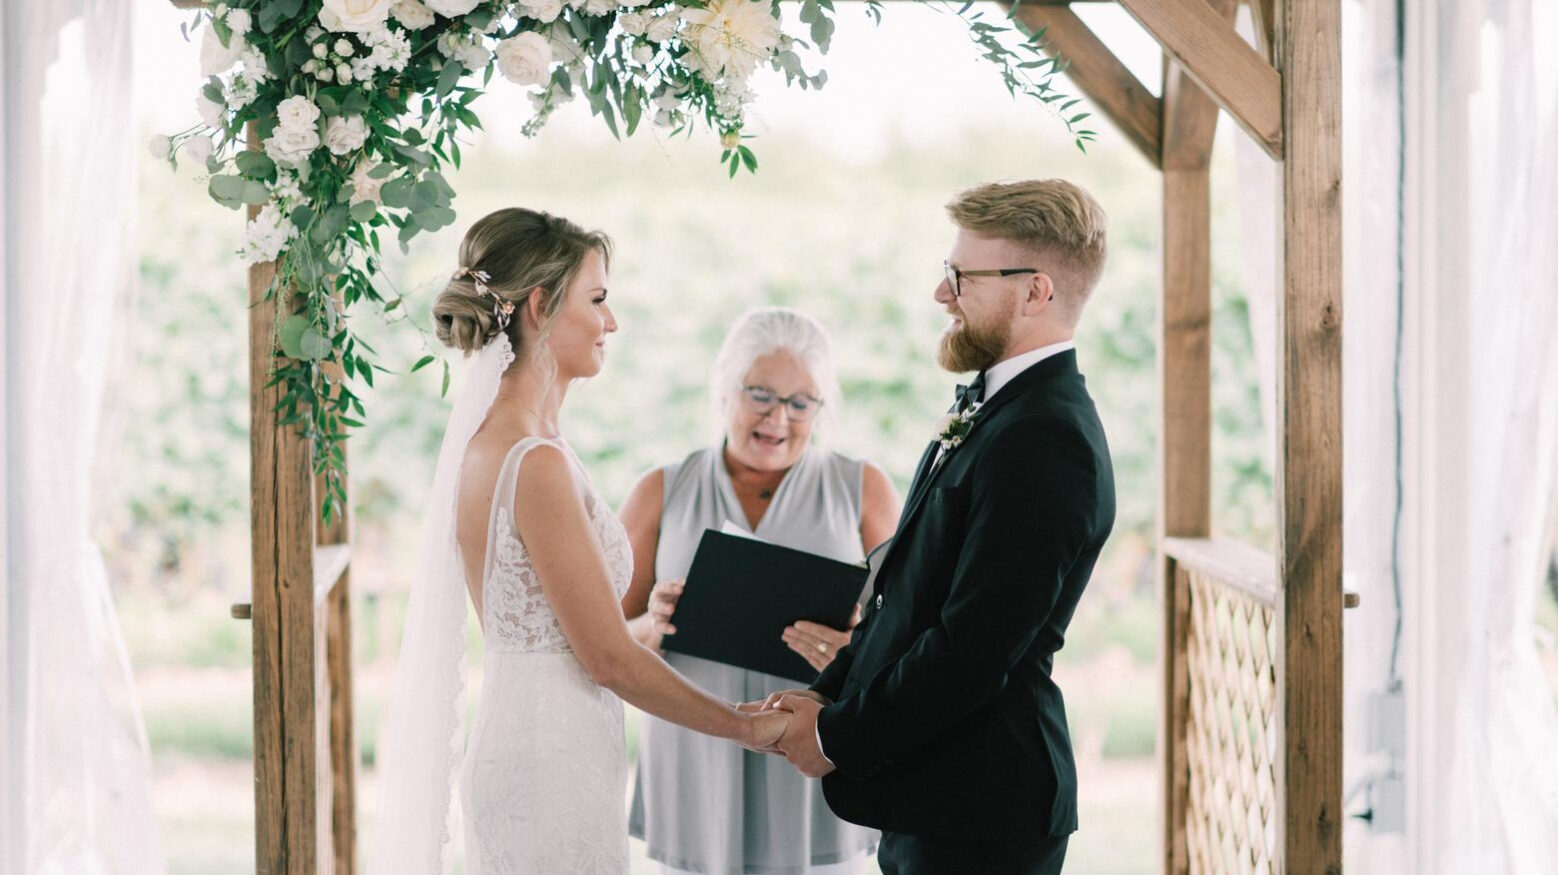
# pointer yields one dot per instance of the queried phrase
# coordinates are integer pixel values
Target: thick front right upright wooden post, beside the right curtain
(1309, 429)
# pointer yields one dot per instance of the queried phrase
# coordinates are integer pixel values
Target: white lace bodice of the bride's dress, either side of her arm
(518, 614)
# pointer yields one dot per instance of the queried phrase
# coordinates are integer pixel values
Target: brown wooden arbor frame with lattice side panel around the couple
(1250, 734)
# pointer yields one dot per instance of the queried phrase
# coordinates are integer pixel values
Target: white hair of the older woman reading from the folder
(767, 331)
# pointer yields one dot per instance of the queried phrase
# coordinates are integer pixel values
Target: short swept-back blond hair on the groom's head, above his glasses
(1056, 220)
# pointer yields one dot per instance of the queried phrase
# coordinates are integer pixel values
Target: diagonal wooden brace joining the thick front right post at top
(1221, 61)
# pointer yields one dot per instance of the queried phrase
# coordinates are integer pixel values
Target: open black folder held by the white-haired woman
(741, 596)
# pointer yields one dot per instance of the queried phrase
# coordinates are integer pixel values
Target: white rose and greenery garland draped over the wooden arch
(358, 107)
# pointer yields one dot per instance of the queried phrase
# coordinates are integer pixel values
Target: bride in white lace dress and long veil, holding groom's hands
(515, 522)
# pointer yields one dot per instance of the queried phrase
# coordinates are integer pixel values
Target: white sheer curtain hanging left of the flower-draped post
(77, 765)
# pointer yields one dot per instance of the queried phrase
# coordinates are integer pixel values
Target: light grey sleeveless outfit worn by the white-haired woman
(703, 804)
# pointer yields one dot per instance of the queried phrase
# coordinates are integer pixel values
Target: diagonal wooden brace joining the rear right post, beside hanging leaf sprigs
(1099, 74)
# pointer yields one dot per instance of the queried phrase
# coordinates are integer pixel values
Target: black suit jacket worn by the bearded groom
(945, 720)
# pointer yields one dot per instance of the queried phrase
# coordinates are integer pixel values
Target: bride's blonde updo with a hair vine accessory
(521, 253)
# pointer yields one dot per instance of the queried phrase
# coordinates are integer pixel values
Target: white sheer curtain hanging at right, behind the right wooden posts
(1451, 409)
